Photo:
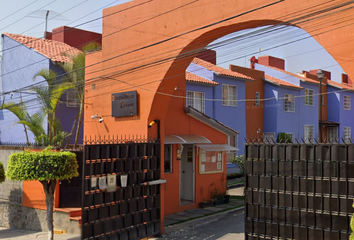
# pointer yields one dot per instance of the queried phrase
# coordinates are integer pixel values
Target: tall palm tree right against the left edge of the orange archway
(75, 73)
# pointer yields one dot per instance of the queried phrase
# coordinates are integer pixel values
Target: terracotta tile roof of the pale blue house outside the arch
(51, 49)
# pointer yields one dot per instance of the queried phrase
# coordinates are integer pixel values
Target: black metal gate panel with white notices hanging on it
(111, 209)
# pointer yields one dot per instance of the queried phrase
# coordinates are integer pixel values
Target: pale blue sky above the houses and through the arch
(27, 17)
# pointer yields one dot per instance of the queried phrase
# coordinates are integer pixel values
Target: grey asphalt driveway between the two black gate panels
(228, 226)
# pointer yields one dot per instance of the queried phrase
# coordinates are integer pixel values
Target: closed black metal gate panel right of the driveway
(298, 191)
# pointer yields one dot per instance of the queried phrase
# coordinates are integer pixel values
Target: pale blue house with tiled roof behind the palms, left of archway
(22, 58)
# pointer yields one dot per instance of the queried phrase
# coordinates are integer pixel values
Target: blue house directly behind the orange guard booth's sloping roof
(216, 92)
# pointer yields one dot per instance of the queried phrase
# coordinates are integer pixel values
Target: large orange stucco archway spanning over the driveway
(144, 45)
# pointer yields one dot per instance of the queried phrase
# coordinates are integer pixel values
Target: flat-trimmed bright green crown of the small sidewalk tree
(43, 166)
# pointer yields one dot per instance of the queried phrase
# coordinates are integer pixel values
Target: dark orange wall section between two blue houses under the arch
(254, 114)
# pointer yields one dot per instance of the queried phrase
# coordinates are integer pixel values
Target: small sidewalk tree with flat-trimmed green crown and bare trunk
(48, 167)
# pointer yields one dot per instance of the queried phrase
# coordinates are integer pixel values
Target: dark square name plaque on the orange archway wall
(124, 104)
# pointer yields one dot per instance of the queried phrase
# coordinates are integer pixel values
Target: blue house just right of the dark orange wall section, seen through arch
(291, 104)
